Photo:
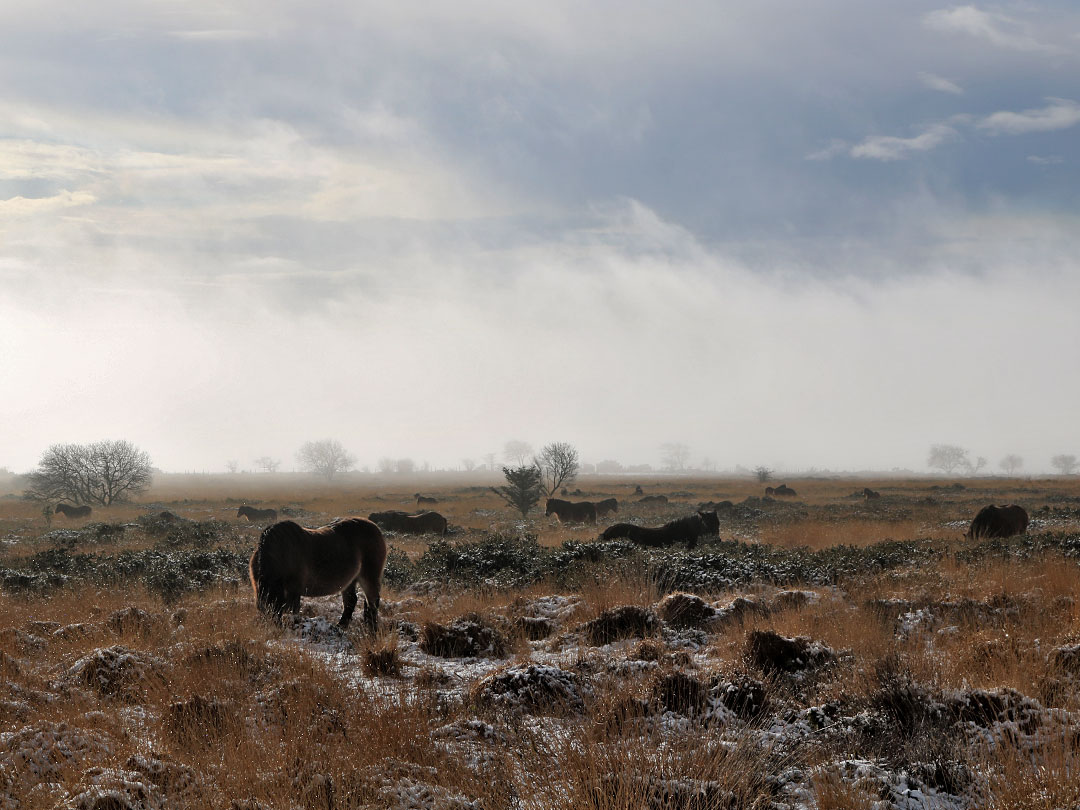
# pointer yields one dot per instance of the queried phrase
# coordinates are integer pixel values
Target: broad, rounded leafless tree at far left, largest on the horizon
(102, 474)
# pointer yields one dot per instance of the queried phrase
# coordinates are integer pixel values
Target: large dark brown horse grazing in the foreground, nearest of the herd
(292, 562)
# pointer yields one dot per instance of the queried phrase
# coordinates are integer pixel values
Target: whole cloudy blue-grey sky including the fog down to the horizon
(800, 235)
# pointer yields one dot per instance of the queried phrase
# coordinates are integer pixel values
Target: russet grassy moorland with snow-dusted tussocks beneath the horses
(825, 652)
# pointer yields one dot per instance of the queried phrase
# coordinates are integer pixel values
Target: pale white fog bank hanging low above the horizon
(617, 340)
